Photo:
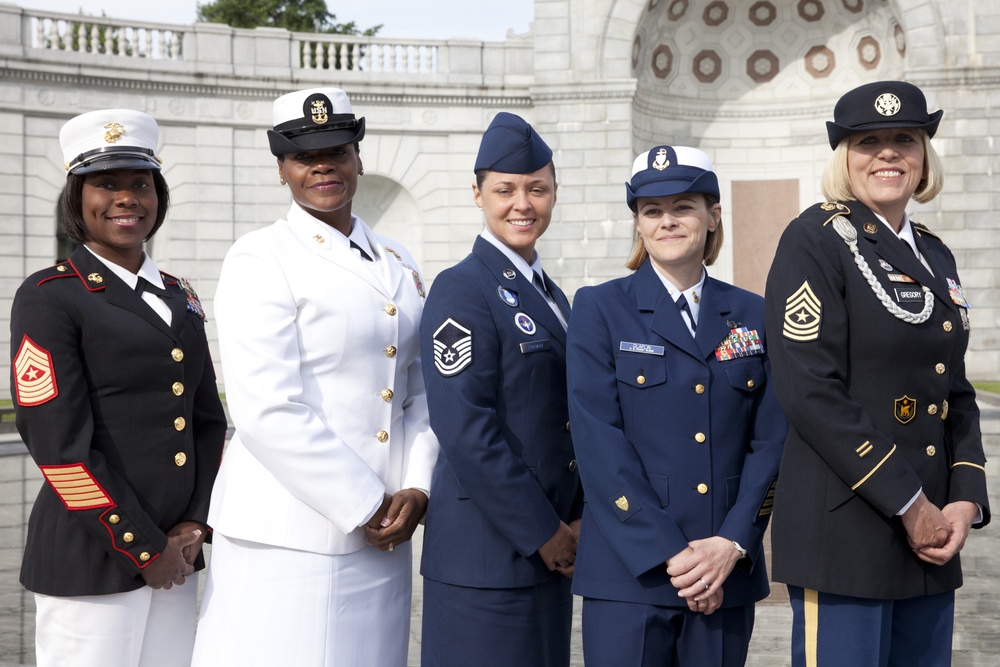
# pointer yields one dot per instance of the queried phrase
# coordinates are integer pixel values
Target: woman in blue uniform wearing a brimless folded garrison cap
(501, 527)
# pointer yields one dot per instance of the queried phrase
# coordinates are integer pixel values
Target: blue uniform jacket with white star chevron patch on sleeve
(505, 476)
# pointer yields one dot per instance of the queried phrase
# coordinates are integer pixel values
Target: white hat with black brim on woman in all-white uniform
(312, 119)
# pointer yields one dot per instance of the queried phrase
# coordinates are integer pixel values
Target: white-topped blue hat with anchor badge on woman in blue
(663, 171)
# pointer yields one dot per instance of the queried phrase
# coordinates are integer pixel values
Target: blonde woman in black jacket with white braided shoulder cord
(883, 471)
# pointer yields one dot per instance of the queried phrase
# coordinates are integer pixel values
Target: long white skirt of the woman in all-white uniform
(267, 605)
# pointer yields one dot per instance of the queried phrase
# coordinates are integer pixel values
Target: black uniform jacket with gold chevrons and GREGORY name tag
(878, 407)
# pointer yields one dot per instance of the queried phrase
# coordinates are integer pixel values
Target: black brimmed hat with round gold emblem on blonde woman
(881, 105)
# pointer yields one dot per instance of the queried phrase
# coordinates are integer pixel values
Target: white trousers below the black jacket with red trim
(142, 628)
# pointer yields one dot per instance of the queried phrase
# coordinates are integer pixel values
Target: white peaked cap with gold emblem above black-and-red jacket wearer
(109, 139)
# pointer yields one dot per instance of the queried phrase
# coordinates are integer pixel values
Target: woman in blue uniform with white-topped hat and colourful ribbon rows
(677, 432)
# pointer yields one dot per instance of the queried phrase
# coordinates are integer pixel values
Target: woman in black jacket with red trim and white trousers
(116, 400)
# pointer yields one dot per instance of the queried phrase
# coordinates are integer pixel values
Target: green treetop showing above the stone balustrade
(293, 15)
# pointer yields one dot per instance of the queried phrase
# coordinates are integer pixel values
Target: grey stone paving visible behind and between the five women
(977, 623)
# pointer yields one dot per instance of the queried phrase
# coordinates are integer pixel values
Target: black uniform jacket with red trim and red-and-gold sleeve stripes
(121, 413)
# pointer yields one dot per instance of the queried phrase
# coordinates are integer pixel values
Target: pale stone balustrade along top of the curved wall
(273, 53)
